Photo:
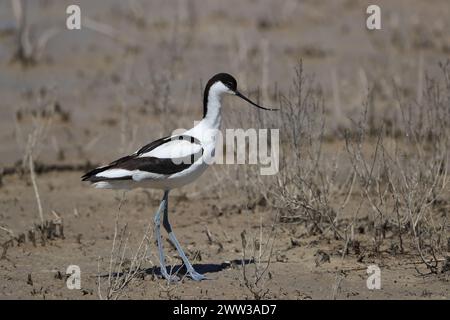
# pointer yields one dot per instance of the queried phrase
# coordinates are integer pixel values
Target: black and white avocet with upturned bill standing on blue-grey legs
(172, 162)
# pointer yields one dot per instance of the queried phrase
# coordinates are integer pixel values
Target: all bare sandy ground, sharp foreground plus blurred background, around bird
(115, 94)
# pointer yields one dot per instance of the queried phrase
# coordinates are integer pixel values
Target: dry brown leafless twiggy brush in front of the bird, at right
(377, 188)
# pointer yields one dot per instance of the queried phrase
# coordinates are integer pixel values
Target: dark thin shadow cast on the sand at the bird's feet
(180, 270)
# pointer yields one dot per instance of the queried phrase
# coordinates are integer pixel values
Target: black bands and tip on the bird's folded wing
(149, 164)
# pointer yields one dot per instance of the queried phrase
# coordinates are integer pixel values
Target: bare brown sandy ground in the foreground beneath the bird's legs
(88, 235)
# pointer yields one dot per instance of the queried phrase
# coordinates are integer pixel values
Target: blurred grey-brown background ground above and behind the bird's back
(140, 66)
